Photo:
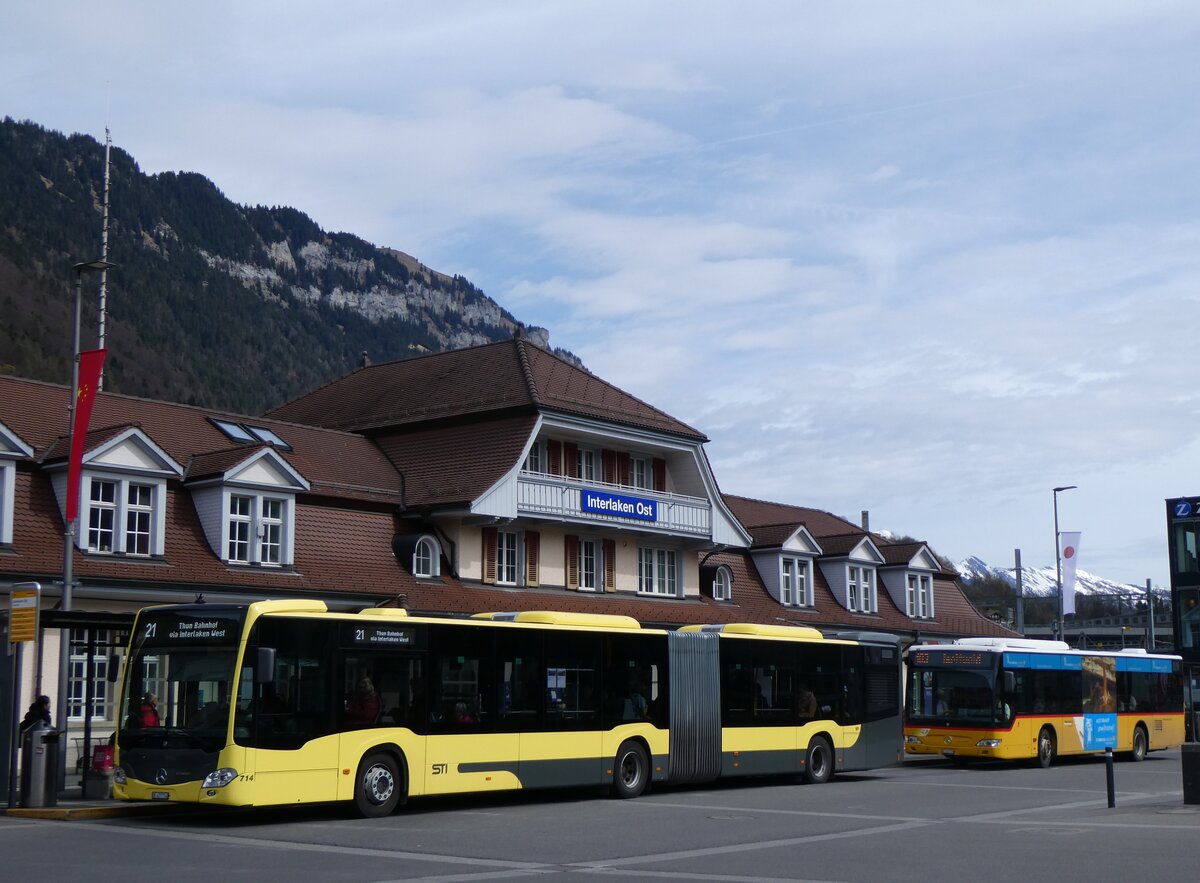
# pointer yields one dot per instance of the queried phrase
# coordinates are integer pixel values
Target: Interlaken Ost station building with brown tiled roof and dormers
(497, 478)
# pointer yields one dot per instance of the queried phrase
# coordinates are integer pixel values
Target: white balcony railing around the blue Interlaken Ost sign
(561, 497)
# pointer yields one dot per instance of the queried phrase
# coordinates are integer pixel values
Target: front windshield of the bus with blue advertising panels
(953, 687)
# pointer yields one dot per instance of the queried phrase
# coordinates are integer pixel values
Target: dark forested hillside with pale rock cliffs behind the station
(212, 303)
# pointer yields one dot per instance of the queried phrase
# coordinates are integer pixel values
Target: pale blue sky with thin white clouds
(923, 260)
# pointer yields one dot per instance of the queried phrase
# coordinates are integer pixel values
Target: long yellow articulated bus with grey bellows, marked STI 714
(285, 702)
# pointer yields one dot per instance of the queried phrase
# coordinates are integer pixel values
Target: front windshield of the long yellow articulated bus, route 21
(177, 693)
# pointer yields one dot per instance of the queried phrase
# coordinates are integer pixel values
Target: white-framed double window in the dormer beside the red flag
(123, 515)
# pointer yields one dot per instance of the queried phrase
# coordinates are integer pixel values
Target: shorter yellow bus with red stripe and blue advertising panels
(1036, 700)
